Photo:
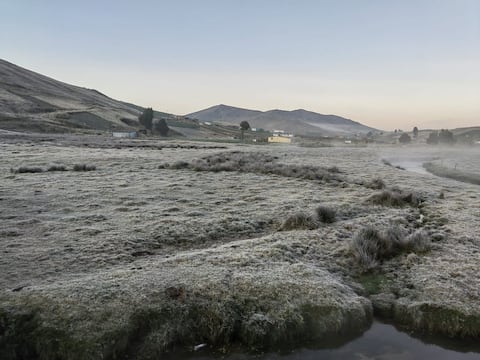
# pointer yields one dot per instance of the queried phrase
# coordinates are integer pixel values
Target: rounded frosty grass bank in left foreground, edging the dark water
(103, 316)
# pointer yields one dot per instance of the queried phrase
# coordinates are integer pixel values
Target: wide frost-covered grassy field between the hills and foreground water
(135, 257)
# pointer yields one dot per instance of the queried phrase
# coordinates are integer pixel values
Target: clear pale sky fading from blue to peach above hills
(386, 63)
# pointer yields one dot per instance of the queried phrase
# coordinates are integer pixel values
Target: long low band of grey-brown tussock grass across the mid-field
(257, 163)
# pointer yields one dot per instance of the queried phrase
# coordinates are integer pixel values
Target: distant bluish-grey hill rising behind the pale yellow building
(299, 122)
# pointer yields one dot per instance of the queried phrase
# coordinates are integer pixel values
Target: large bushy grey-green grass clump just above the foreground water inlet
(371, 246)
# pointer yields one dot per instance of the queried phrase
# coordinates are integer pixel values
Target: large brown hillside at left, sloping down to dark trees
(34, 102)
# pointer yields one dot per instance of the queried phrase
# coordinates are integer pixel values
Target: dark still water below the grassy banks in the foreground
(380, 342)
